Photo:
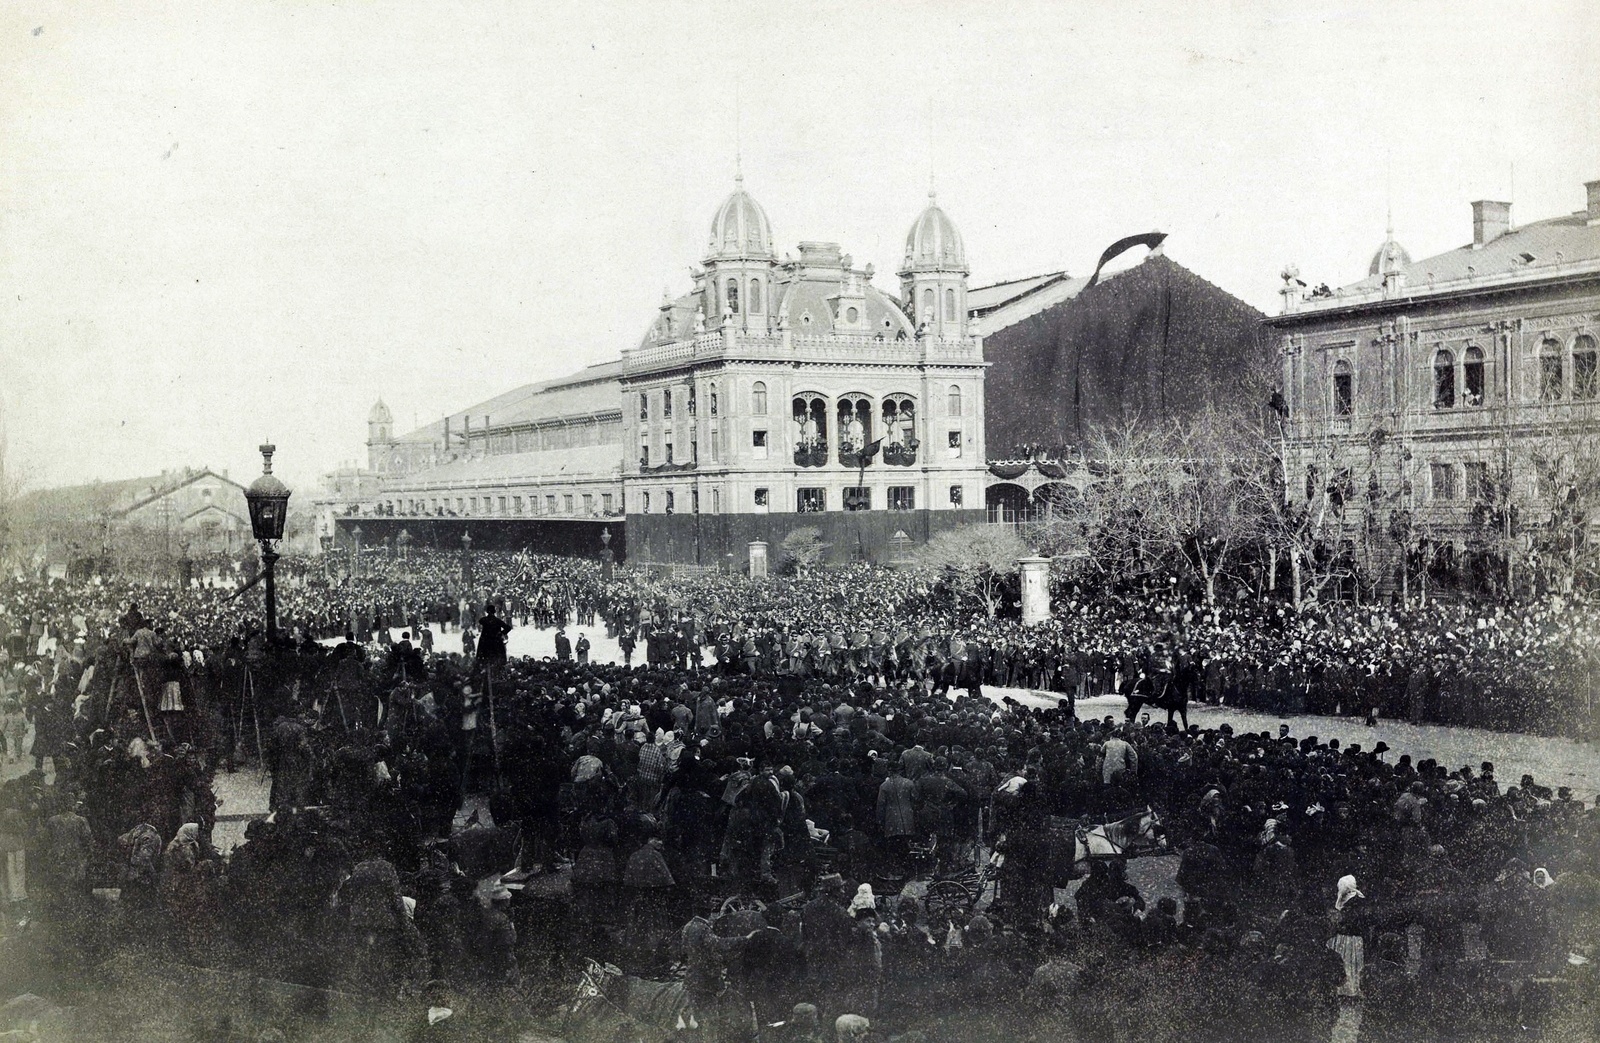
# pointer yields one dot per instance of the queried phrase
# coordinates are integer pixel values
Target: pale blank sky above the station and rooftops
(223, 223)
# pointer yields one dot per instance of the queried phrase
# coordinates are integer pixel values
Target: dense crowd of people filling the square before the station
(799, 802)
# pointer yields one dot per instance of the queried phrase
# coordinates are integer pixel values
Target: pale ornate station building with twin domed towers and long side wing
(775, 394)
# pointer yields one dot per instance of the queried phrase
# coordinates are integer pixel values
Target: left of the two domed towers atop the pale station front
(740, 263)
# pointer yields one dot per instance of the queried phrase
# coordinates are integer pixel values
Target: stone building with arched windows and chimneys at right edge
(1458, 391)
